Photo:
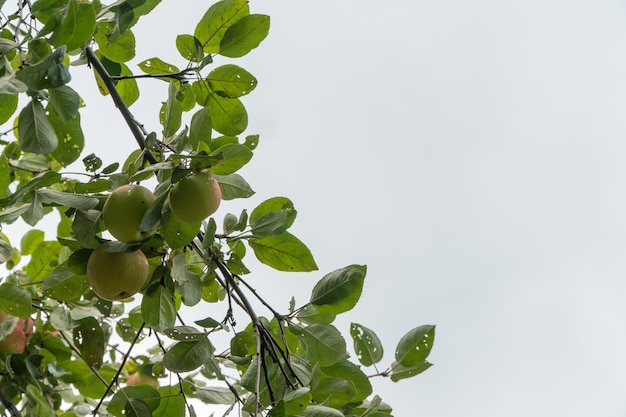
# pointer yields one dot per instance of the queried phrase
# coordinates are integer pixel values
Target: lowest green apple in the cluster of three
(117, 275)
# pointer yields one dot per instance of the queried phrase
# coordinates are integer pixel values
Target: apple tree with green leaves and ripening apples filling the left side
(92, 320)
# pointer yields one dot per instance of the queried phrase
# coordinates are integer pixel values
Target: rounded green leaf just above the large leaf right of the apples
(272, 217)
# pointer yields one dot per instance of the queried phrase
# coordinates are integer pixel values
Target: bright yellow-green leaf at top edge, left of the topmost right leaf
(220, 16)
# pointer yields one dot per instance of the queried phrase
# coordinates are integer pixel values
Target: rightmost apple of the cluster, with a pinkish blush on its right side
(195, 197)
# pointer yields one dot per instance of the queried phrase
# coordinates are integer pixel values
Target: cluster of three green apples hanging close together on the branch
(118, 275)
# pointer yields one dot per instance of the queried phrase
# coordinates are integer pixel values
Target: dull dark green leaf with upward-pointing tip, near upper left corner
(49, 73)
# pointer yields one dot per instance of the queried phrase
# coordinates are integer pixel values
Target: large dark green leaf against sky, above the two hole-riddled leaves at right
(340, 290)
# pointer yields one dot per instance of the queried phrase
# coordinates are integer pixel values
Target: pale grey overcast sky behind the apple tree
(472, 154)
